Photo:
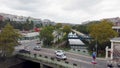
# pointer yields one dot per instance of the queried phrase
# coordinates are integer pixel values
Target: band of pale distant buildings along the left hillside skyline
(23, 19)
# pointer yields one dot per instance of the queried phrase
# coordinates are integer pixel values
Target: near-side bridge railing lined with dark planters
(49, 60)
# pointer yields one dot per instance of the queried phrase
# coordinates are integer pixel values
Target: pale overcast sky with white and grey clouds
(63, 11)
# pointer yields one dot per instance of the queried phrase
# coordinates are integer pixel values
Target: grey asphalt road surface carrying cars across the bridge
(81, 60)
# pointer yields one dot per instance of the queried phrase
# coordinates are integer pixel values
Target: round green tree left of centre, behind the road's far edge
(46, 35)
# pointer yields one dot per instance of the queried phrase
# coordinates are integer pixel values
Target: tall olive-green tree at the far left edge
(8, 39)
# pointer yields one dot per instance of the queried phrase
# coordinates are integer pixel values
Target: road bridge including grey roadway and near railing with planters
(47, 57)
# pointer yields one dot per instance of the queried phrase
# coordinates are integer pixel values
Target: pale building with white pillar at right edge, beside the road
(113, 53)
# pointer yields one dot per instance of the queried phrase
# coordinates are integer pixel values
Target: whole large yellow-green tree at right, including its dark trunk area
(102, 33)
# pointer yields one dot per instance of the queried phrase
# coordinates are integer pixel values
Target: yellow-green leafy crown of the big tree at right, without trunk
(102, 32)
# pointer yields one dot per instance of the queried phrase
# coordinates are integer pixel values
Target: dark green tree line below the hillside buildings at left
(21, 25)
